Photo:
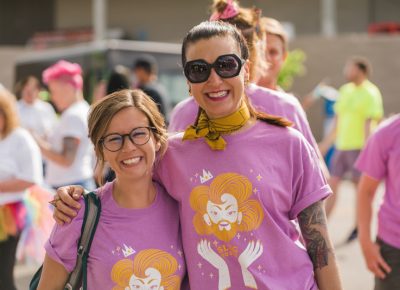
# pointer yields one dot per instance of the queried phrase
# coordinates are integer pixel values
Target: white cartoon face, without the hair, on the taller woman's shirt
(225, 214)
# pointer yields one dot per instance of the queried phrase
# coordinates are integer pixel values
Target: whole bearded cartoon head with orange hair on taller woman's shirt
(225, 208)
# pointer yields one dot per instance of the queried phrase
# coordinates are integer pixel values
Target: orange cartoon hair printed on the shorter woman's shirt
(162, 261)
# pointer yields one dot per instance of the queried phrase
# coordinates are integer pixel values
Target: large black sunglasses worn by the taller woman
(226, 66)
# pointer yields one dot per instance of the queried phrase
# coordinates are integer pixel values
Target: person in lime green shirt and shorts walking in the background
(358, 109)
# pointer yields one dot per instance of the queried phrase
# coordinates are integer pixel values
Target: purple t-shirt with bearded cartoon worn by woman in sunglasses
(236, 207)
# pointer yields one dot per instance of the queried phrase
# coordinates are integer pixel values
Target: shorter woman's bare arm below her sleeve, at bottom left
(54, 275)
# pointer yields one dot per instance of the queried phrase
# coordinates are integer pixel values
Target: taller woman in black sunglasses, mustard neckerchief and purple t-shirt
(240, 177)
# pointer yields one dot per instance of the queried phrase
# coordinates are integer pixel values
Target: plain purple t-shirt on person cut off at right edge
(380, 159)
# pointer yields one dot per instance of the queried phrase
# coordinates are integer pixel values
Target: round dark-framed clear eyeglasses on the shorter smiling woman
(138, 136)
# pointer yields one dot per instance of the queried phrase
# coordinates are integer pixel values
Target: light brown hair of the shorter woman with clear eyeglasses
(102, 112)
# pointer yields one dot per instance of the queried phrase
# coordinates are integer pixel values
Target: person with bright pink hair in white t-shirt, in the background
(68, 150)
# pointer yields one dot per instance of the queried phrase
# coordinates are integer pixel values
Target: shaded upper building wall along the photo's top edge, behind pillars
(162, 20)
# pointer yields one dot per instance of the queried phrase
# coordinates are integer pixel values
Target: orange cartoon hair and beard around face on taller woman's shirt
(241, 189)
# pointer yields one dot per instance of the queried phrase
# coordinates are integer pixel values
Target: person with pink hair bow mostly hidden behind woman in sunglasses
(266, 100)
